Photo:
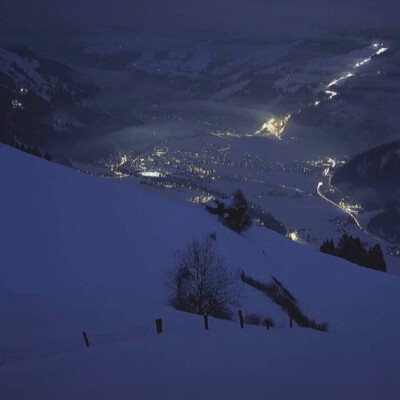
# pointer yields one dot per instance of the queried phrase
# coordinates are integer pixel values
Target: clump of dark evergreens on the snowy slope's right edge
(351, 249)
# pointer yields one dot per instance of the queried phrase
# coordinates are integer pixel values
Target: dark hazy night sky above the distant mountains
(283, 17)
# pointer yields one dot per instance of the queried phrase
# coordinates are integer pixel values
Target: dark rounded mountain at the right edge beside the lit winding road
(373, 177)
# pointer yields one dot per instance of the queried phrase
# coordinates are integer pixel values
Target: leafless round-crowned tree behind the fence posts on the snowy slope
(200, 280)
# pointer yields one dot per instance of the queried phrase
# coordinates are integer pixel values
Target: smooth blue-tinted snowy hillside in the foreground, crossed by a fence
(81, 253)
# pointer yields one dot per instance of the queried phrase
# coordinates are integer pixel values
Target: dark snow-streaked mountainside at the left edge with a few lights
(38, 97)
